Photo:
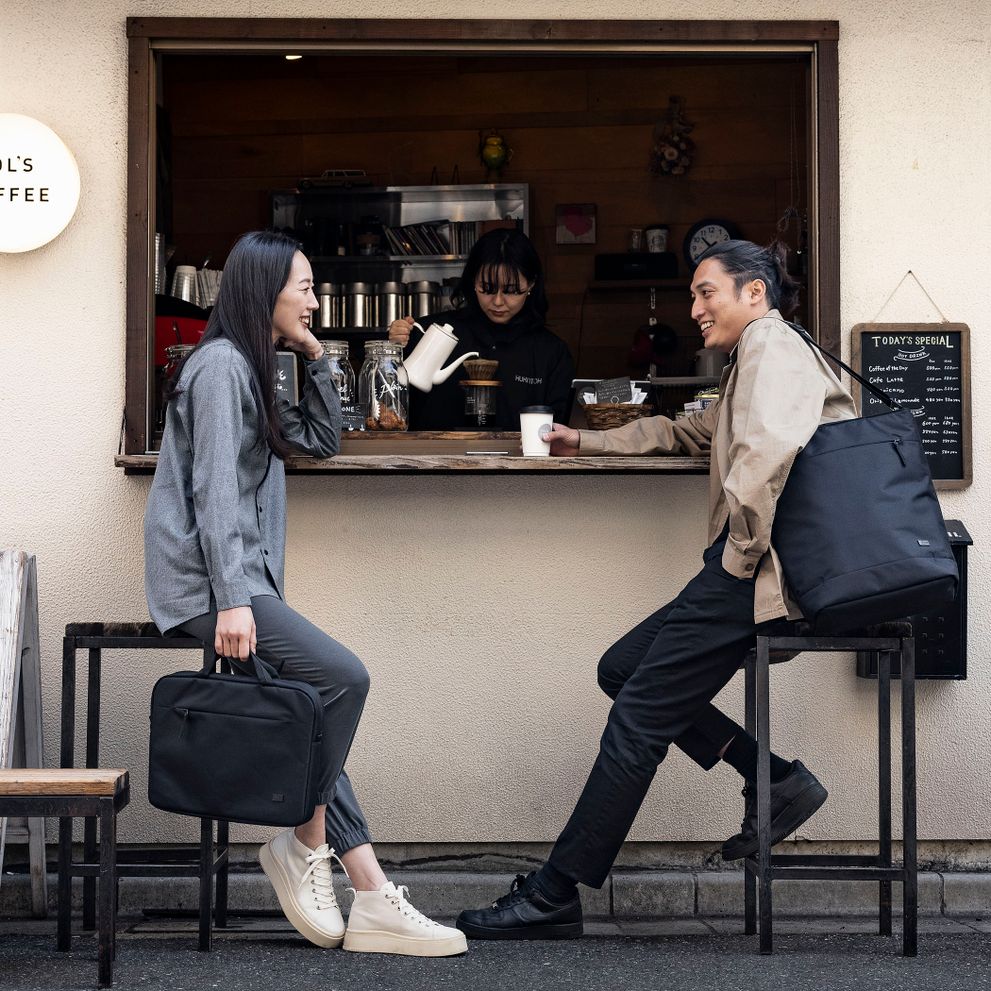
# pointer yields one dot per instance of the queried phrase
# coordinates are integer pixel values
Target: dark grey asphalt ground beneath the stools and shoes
(700, 954)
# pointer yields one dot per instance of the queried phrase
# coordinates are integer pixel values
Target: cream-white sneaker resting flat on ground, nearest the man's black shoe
(383, 921)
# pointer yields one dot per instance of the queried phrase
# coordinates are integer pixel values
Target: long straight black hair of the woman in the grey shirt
(256, 271)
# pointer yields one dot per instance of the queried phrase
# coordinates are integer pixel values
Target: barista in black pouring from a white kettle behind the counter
(502, 312)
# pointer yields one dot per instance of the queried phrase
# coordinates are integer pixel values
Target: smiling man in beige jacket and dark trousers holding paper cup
(664, 673)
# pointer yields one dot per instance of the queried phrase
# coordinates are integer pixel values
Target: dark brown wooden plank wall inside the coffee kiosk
(580, 129)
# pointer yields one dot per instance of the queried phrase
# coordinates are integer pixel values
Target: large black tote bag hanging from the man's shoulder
(858, 527)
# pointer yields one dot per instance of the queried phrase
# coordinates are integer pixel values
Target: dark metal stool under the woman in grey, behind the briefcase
(203, 861)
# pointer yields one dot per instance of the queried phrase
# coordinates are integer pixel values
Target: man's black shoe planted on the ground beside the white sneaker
(523, 914)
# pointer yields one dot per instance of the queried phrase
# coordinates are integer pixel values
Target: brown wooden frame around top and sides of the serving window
(146, 36)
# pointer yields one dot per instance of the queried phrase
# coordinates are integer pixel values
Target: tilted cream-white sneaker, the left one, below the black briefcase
(302, 880)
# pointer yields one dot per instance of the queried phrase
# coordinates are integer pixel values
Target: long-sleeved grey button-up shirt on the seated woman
(215, 524)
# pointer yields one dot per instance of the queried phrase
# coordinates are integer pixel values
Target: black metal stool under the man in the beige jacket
(883, 642)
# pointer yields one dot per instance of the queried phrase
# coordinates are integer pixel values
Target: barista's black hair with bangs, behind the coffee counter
(512, 253)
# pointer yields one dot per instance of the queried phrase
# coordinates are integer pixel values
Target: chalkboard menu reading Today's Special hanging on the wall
(925, 368)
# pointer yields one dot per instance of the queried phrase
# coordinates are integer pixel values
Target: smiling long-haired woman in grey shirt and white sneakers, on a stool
(214, 546)
